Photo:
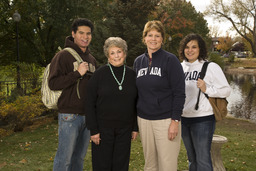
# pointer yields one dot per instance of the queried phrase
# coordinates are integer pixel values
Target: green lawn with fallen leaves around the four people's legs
(34, 149)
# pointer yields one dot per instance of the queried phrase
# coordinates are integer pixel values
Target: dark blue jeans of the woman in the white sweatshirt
(197, 138)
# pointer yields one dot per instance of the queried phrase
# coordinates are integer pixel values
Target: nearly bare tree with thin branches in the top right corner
(241, 14)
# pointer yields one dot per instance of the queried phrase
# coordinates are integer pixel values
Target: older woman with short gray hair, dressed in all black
(111, 109)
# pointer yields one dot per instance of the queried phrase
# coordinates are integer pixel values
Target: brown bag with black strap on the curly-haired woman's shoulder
(219, 105)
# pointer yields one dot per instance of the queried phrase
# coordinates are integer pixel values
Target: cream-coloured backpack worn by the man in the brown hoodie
(50, 97)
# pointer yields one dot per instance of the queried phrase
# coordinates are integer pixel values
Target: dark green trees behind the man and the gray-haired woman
(45, 24)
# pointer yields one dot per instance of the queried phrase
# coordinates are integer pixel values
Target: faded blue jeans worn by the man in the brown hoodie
(74, 139)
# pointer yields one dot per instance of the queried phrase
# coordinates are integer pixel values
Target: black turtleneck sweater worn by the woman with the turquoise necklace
(106, 105)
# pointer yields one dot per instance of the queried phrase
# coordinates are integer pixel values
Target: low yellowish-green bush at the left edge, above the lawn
(22, 111)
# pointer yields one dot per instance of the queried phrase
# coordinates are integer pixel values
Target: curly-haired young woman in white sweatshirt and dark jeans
(198, 125)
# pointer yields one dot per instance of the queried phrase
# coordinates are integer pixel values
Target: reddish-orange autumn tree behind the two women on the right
(180, 18)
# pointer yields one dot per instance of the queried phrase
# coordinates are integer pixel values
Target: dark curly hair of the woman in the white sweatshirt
(201, 44)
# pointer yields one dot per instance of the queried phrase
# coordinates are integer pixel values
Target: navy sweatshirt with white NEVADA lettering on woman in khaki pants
(161, 86)
